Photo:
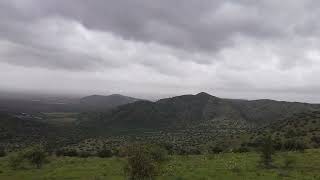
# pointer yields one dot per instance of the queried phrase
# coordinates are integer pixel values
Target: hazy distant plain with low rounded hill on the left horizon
(89, 103)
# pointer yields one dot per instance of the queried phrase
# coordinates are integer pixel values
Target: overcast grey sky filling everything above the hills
(229, 48)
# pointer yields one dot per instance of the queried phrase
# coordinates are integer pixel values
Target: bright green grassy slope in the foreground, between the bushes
(228, 166)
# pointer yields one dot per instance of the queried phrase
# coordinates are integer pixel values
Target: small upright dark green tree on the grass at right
(267, 151)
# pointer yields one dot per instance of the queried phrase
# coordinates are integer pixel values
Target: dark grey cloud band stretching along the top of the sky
(206, 26)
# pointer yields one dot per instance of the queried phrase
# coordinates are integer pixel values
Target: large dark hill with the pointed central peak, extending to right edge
(195, 111)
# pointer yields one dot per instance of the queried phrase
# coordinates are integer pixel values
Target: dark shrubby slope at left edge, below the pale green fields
(16, 132)
